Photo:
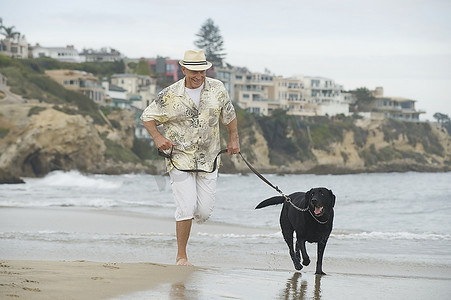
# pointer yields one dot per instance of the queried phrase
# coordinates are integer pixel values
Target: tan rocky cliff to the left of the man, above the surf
(38, 138)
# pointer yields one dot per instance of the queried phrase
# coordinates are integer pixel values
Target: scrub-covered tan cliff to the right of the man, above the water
(288, 144)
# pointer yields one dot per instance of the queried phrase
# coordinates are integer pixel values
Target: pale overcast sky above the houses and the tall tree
(403, 46)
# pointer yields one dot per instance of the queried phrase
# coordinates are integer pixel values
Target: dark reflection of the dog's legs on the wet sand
(298, 290)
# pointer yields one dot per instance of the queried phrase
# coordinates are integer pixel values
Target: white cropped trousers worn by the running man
(194, 194)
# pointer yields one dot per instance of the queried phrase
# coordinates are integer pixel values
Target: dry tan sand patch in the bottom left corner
(82, 279)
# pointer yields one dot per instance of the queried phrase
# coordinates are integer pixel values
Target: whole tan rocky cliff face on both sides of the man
(37, 138)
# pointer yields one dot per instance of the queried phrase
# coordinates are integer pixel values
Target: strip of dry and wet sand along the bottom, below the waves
(30, 279)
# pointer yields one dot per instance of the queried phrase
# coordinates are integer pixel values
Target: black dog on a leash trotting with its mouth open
(311, 215)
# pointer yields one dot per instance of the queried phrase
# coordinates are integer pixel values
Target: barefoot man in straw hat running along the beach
(189, 112)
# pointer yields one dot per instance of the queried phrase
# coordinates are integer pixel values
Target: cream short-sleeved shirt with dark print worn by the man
(194, 130)
